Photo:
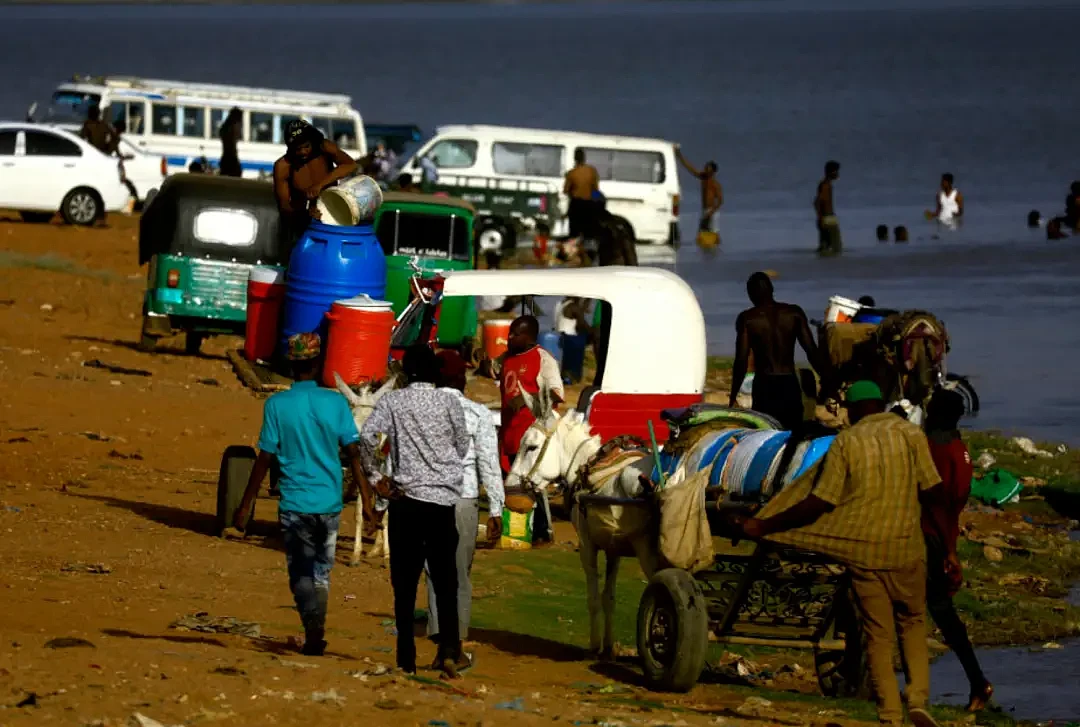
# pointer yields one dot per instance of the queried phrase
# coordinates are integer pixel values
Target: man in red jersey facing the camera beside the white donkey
(528, 368)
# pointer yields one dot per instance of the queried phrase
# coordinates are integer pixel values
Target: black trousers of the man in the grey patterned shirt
(423, 532)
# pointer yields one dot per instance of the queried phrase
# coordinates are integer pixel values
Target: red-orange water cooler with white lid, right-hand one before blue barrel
(359, 341)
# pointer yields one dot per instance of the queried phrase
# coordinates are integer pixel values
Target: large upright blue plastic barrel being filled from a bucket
(331, 263)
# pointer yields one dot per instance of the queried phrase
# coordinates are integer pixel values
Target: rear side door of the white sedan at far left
(51, 169)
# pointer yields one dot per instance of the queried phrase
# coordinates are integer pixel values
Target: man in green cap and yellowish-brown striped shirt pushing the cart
(862, 507)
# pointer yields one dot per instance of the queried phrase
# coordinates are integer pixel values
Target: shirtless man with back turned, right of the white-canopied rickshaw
(771, 330)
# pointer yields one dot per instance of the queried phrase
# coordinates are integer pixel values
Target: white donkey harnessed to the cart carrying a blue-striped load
(556, 448)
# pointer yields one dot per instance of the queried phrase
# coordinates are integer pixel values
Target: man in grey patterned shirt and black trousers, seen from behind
(429, 440)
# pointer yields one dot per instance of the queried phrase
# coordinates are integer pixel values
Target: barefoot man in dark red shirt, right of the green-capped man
(954, 465)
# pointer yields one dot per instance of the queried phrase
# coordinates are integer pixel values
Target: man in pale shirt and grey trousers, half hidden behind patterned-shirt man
(481, 467)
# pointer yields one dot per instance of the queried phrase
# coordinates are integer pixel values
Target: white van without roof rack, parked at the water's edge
(639, 177)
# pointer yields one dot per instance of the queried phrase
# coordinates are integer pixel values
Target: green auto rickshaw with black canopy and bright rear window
(201, 236)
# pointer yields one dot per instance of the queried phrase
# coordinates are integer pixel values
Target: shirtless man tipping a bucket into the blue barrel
(312, 165)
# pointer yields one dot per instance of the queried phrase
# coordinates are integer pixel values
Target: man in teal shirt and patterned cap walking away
(306, 428)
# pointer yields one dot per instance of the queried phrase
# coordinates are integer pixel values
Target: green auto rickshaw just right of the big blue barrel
(436, 234)
